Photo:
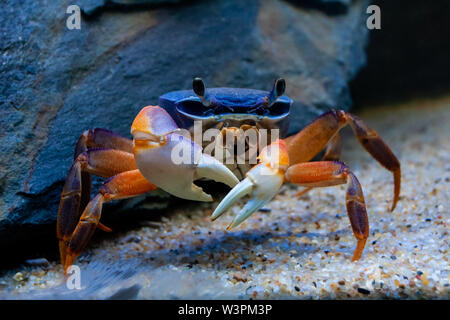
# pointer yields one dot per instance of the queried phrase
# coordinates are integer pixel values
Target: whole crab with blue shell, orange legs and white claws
(145, 163)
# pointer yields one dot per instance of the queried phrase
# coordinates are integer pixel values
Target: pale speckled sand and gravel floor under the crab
(296, 248)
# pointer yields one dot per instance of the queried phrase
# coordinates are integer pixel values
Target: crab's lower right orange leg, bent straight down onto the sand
(330, 173)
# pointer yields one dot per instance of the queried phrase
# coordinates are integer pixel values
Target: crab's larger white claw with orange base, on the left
(169, 159)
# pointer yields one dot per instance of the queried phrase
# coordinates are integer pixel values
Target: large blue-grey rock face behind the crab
(55, 82)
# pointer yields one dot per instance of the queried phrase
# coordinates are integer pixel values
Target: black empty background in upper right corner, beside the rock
(406, 59)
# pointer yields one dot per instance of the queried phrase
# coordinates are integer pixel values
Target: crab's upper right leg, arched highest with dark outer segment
(303, 146)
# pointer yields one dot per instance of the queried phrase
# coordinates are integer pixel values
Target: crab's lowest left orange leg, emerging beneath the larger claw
(123, 185)
